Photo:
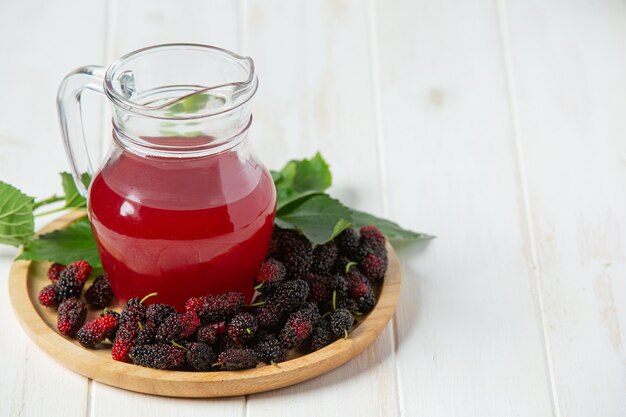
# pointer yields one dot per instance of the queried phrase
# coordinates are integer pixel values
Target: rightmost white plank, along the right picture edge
(570, 90)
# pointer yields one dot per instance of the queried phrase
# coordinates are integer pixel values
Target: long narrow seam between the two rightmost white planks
(520, 161)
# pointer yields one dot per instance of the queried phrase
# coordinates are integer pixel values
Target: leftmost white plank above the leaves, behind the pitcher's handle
(31, 150)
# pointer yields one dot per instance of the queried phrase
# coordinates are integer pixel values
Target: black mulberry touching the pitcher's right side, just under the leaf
(295, 252)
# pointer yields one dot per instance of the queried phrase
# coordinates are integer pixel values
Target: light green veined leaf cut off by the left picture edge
(17, 224)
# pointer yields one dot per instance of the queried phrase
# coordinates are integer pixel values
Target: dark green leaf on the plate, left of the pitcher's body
(64, 246)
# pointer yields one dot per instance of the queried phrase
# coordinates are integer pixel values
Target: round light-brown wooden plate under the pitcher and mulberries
(27, 278)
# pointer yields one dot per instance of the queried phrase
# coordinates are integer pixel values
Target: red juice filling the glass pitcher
(181, 227)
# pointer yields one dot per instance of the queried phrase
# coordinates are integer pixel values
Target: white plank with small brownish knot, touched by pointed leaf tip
(469, 329)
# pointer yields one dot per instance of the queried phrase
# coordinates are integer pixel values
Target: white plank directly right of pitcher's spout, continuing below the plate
(316, 94)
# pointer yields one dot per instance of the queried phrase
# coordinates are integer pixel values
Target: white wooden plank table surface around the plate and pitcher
(499, 126)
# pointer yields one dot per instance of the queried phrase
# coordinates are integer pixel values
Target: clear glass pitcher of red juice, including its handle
(180, 205)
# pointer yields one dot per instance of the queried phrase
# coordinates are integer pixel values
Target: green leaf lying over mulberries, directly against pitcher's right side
(320, 218)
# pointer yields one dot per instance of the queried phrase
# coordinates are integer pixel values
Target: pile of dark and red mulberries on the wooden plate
(307, 297)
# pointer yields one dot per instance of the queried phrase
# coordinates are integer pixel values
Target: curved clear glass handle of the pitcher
(90, 77)
